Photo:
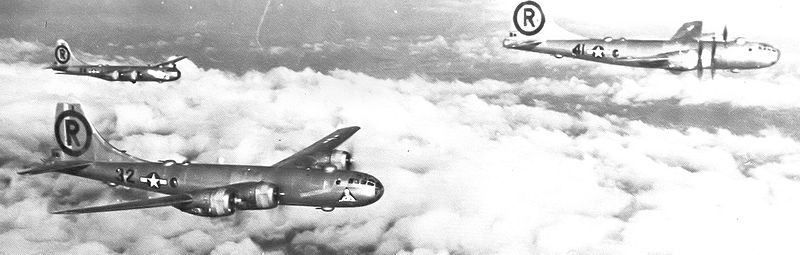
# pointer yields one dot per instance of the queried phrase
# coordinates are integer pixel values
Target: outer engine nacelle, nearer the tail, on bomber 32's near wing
(211, 202)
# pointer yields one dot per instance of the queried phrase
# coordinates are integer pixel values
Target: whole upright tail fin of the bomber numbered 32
(78, 140)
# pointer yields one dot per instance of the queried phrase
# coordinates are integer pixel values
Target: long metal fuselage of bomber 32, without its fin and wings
(311, 187)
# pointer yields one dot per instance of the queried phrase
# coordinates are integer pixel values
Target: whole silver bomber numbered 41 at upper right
(686, 50)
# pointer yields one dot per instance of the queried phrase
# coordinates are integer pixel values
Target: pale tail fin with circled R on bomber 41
(533, 27)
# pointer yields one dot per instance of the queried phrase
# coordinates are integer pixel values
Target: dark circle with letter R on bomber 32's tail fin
(73, 134)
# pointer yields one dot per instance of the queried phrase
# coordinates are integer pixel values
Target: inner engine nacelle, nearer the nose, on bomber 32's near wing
(255, 196)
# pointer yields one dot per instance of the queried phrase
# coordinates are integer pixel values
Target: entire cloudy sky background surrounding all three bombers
(482, 150)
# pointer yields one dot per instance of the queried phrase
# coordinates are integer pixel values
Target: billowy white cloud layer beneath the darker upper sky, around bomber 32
(487, 167)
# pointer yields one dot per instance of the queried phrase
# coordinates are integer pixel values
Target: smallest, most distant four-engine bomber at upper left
(166, 71)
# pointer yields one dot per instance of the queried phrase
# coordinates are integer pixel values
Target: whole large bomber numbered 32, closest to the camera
(318, 176)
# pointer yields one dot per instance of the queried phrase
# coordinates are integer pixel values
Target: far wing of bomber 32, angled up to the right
(324, 145)
